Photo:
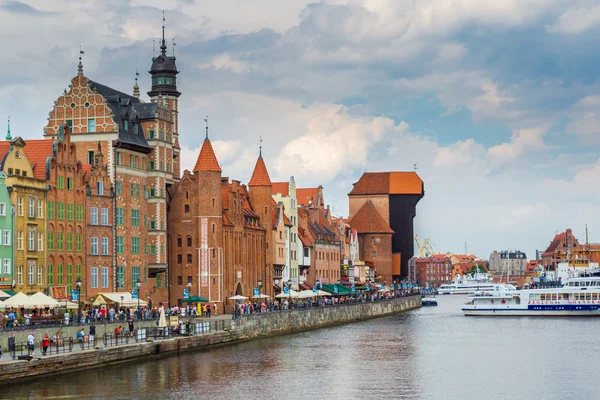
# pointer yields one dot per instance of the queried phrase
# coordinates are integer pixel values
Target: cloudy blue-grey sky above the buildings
(497, 103)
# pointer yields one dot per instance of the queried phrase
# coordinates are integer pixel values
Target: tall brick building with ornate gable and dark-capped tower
(140, 145)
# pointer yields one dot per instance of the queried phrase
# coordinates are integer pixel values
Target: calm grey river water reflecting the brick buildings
(431, 353)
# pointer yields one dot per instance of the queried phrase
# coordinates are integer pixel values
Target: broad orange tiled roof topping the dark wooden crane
(388, 183)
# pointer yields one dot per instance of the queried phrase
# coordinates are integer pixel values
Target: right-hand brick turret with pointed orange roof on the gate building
(261, 200)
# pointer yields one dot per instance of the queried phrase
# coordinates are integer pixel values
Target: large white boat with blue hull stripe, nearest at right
(578, 297)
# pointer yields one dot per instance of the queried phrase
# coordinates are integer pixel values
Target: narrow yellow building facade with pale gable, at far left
(28, 197)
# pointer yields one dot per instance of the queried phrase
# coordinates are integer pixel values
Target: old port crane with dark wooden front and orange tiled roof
(394, 196)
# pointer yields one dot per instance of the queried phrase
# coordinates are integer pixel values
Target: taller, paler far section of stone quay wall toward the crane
(272, 324)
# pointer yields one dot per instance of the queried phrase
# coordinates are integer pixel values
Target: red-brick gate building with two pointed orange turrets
(217, 237)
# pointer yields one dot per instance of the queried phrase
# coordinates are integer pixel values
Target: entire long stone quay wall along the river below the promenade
(249, 327)
